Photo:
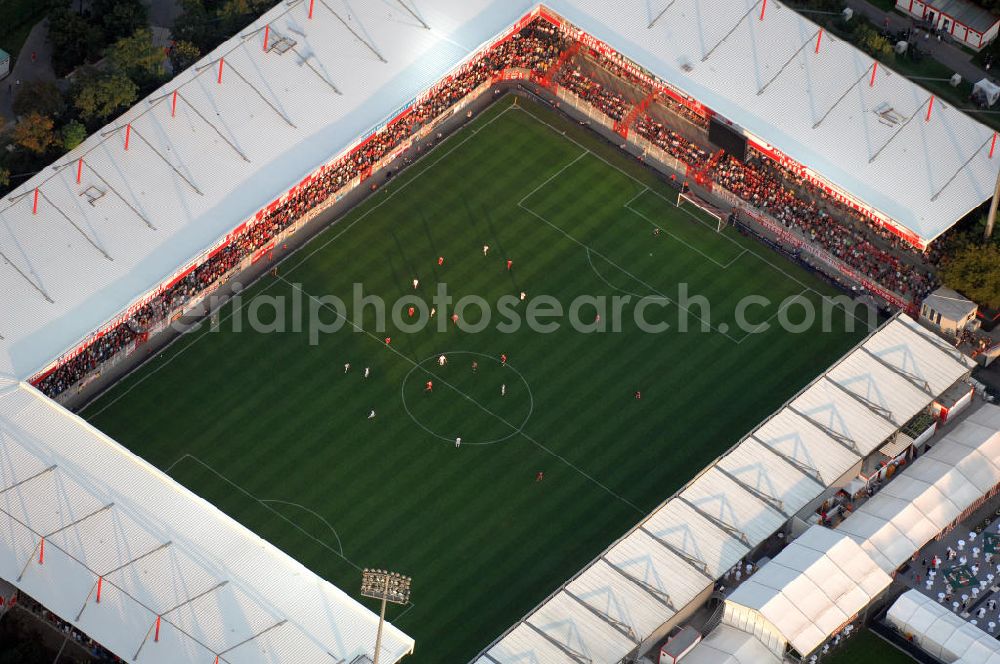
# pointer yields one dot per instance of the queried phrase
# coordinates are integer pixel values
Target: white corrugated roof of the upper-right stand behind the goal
(817, 108)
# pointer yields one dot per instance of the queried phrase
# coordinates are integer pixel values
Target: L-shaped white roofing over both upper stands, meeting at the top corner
(187, 181)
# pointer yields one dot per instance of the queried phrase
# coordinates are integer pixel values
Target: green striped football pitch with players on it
(271, 429)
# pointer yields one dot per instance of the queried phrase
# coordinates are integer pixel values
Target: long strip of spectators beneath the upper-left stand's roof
(536, 47)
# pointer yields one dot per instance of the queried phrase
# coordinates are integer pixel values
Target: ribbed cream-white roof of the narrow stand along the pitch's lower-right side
(692, 539)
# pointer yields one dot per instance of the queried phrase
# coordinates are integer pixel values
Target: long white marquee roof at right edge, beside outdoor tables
(931, 493)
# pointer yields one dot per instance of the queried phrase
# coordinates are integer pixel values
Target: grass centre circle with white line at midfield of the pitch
(457, 386)
